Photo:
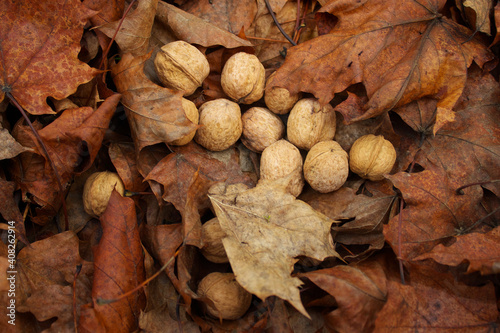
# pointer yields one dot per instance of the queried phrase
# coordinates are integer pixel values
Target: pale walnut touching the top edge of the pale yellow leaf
(280, 160)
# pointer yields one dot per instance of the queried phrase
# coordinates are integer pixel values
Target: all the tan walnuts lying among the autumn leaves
(310, 131)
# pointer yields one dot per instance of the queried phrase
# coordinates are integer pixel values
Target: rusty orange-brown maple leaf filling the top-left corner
(40, 56)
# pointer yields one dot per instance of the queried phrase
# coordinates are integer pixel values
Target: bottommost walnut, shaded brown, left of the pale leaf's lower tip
(226, 298)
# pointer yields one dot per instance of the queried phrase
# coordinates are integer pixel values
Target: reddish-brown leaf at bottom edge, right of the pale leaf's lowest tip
(360, 291)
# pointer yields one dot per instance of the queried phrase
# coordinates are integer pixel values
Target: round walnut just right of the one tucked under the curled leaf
(220, 124)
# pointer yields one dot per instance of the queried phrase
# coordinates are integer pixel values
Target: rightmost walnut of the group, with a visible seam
(372, 156)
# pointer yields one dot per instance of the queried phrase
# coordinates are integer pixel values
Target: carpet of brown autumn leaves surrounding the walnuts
(417, 251)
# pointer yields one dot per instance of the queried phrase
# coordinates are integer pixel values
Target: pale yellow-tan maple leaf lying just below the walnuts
(266, 229)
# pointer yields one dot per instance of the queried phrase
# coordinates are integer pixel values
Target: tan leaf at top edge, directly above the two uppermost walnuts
(198, 31)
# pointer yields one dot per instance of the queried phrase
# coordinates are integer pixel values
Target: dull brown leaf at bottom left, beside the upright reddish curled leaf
(46, 271)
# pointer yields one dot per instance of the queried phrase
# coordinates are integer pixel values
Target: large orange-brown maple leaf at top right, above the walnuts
(400, 50)
